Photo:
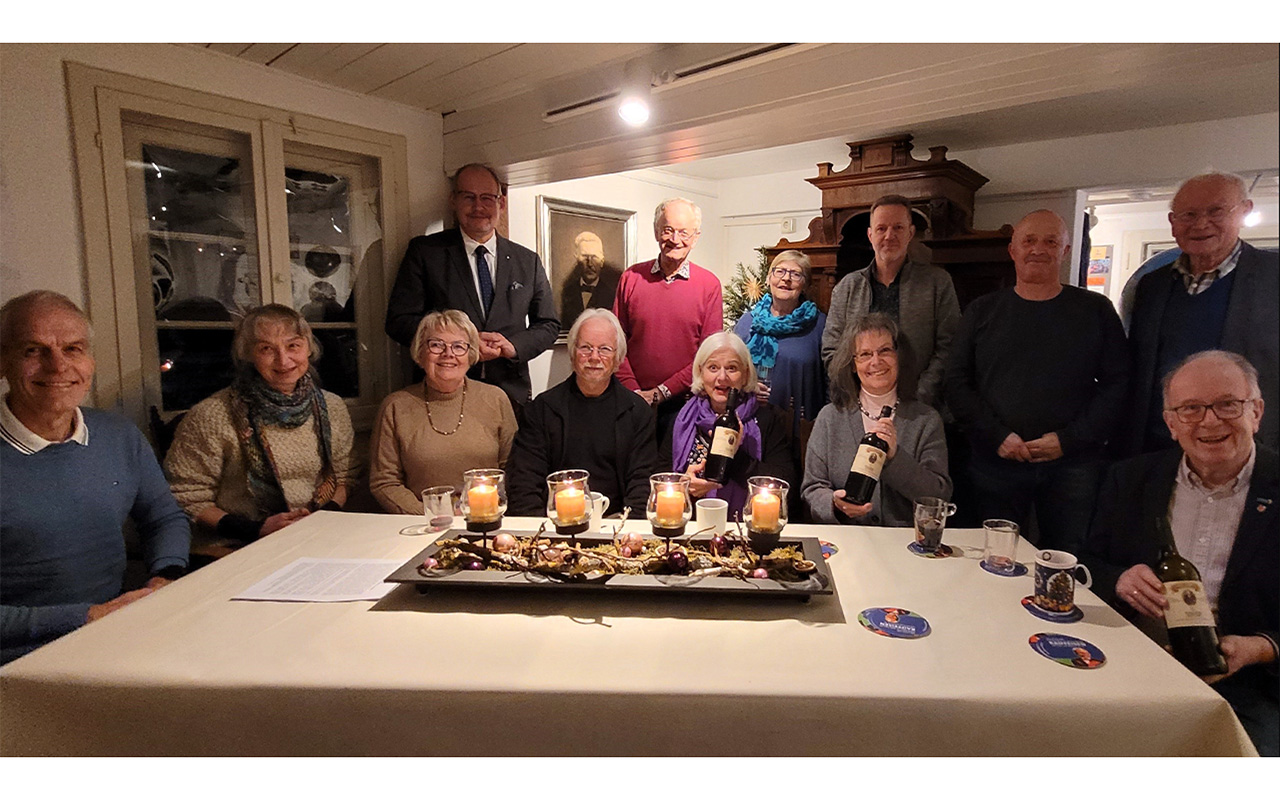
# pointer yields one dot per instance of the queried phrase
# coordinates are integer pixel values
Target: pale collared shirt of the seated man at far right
(1205, 522)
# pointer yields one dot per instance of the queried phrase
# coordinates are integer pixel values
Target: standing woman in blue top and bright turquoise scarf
(784, 335)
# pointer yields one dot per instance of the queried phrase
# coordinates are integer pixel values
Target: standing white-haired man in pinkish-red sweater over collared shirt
(668, 308)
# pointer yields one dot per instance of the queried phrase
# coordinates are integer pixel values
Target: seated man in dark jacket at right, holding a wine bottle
(1220, 492)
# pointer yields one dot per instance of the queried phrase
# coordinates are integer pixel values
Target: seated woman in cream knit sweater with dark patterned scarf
(271, 449)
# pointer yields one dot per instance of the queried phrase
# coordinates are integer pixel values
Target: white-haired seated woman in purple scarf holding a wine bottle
(723, 364)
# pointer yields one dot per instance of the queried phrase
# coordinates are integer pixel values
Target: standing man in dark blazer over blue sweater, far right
(1220, 294)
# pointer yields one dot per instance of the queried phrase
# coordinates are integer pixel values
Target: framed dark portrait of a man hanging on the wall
(614, 250)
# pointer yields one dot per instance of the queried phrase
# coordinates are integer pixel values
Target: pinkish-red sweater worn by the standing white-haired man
(665, 324)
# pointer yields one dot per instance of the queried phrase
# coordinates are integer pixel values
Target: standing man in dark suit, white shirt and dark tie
(500, 285)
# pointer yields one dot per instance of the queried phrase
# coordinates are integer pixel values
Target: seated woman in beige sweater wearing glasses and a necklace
(431, 433)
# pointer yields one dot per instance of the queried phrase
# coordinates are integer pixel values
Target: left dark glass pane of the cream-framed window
(196, 246)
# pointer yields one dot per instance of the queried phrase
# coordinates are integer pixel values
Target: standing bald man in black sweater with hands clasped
(1037, 381)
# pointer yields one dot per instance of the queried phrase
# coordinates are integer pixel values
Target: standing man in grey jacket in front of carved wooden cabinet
(920, 298)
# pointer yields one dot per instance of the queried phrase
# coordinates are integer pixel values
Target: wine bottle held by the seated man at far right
(1192, 634)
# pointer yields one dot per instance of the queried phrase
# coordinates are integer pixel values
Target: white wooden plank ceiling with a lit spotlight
(723, 99)
